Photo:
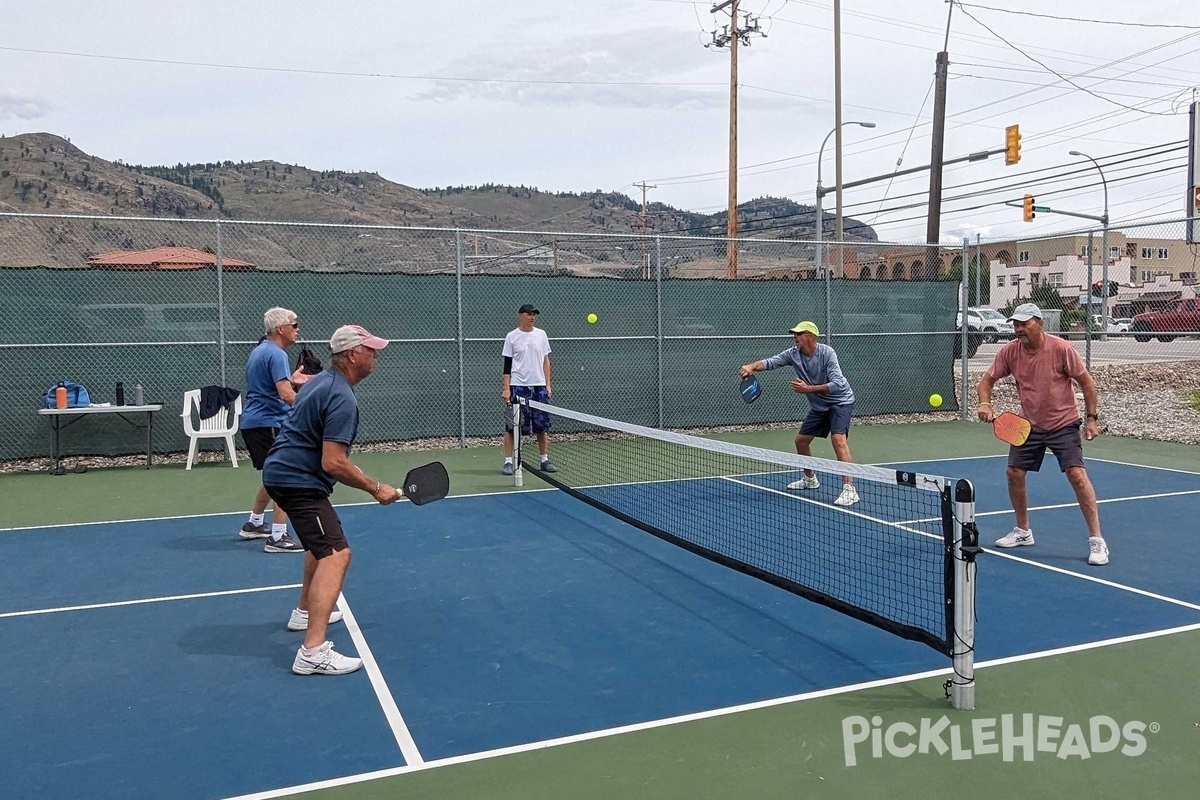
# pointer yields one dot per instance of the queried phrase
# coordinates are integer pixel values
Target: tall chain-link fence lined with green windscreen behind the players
(178, 304)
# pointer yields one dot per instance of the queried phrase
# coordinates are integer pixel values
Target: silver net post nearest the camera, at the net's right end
(967, 549)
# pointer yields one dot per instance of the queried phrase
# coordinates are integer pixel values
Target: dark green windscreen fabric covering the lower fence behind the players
(661, 354)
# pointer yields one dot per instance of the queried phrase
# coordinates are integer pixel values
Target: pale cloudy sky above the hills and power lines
(572, 95)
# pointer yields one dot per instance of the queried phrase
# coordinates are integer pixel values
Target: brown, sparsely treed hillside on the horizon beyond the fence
(43, 173)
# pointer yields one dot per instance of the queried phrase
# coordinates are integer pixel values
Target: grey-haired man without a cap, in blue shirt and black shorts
(271, 392)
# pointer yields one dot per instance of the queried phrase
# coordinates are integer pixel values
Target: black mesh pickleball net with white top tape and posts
(901, 558)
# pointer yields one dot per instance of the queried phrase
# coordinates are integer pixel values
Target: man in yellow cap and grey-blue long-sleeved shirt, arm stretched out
(831, 402)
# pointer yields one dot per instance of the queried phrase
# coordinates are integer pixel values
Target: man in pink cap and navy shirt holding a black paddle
(310, 455)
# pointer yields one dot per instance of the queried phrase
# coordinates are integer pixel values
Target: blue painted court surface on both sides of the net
(154, 660)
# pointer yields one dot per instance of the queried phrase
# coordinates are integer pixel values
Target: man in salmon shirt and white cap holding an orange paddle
(1045, 368)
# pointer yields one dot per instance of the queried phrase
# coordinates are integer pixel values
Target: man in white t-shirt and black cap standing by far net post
(527, 375)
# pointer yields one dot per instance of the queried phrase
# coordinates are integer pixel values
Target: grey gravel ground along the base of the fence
(1141, 401)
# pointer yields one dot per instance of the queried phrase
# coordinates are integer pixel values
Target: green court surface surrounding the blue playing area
(793, 748)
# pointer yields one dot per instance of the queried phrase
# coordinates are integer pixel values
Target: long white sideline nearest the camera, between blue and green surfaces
(701, 715)
